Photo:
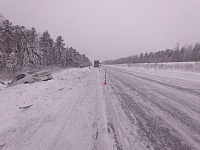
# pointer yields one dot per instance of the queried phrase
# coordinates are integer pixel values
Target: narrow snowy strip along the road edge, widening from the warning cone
(121, 138)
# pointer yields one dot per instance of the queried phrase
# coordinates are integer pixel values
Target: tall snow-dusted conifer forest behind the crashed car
(22, 48)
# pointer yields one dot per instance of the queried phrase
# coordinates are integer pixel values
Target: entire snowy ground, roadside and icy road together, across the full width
(139, 109)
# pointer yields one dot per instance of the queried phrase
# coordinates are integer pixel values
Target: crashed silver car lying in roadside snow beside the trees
(30, 77)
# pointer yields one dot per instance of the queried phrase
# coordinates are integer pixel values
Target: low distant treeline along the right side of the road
(183, 54)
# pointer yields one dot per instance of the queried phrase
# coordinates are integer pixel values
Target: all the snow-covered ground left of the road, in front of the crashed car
(62, 115)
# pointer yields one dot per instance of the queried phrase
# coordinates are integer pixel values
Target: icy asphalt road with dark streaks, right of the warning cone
(163, 106)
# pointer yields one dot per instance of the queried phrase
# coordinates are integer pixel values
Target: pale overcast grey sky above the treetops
(110, 29)
